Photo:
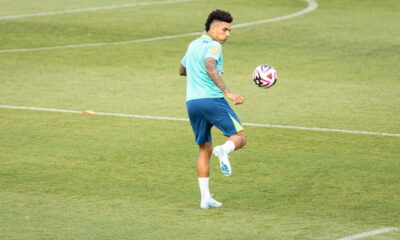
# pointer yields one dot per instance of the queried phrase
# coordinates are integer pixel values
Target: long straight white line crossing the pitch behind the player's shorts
(185, 119)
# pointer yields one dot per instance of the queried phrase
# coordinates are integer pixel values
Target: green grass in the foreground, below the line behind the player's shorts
(102, 177)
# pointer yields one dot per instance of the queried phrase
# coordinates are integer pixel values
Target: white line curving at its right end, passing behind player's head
(312, 5)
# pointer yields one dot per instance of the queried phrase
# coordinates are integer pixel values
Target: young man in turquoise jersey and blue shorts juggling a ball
(206, 105)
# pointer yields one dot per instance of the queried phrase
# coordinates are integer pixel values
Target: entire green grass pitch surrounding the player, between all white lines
(71, 176)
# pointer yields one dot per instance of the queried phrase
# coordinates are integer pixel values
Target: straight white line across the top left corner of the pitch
(92, 9)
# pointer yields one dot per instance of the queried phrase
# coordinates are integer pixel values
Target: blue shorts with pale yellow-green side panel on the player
(205, 113)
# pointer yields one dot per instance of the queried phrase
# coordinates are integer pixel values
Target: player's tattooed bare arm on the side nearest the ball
(212, 72)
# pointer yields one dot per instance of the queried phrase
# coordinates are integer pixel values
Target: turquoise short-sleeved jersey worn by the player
(199, 84)
